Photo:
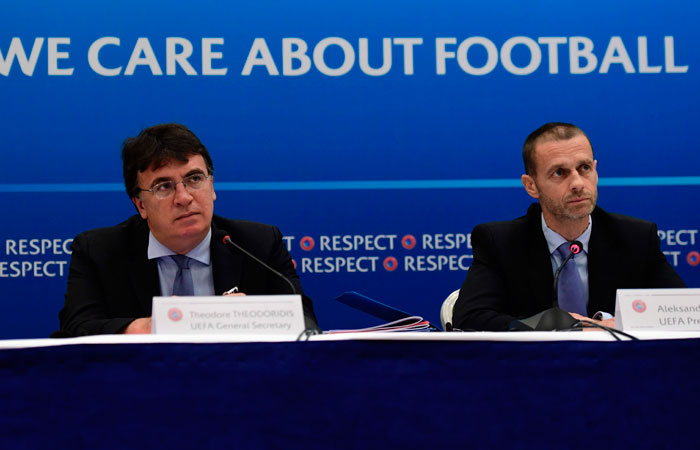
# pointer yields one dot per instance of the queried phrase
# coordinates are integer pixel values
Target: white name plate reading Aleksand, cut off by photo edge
(658, 309)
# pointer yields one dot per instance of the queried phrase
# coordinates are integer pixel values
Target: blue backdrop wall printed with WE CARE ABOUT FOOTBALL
(374, 134)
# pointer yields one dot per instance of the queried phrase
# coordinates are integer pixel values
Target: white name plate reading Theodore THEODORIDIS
(249, 314)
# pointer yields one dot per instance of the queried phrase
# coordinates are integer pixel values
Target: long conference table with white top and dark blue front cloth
(352, 390)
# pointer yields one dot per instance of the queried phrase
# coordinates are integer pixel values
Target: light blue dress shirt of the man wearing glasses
(200, 266)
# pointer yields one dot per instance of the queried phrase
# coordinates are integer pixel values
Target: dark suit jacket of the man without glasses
(511, 275)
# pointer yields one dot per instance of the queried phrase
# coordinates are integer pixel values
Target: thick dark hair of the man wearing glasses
(154, 147)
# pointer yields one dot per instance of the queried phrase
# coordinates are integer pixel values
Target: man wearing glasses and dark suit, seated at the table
(115, 272)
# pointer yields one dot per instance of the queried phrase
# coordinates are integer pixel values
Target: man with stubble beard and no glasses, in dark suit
(512, 274)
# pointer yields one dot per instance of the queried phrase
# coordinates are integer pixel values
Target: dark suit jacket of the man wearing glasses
(111, 281)
